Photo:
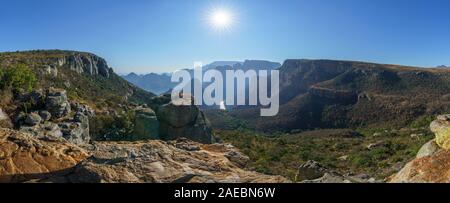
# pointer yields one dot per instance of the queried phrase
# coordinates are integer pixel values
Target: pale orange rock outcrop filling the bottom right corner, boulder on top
(432, 164)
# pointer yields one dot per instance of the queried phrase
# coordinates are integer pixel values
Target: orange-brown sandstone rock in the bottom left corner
(23, 157)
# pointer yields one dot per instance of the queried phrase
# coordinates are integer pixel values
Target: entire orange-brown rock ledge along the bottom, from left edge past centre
(26, 158)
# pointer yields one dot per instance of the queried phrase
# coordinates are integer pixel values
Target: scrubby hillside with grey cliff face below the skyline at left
(86, 77)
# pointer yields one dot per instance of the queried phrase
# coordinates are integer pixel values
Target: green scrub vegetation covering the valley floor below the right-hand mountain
(376, 152)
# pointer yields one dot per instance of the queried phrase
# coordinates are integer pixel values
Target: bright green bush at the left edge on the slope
(18, 78)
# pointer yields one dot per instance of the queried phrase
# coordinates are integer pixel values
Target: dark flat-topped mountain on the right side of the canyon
(343, 94)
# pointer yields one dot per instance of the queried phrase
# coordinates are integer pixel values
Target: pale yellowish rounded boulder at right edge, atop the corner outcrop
(441, 128)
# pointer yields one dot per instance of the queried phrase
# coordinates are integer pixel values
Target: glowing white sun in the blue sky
(221, 19)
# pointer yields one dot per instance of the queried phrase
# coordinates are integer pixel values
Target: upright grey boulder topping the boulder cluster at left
(56, 103)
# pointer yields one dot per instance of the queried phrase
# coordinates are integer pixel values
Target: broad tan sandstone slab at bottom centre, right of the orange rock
(157, 162)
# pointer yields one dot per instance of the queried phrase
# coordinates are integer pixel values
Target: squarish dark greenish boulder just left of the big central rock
(146, 124)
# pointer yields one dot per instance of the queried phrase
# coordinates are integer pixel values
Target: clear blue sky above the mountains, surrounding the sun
(165, 35)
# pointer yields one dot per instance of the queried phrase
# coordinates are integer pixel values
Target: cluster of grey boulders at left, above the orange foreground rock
(52, 115)
